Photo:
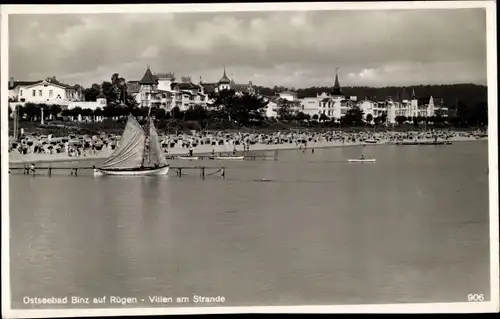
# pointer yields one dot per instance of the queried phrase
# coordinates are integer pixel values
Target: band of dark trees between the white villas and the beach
(232, 110)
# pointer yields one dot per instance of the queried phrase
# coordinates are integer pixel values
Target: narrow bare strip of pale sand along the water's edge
(205, 150)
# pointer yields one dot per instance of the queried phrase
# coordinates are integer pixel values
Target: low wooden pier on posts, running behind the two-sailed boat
(73, 171)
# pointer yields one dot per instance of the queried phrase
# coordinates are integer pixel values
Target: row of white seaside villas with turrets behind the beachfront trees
(162, 90)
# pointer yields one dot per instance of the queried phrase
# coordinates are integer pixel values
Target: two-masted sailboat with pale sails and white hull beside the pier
(138, 153)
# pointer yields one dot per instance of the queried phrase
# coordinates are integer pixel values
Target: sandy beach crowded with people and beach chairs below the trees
(102, 145)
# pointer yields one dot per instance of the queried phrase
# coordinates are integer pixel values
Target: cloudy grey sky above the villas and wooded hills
(295, 49)
